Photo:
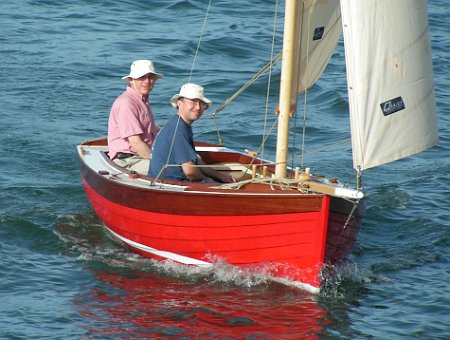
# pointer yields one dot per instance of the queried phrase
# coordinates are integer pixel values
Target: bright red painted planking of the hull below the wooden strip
(294, 240)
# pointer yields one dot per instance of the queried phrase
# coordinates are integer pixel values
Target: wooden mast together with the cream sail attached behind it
(312, 29)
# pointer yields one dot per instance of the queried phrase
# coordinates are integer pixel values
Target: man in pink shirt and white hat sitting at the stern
(131, 126)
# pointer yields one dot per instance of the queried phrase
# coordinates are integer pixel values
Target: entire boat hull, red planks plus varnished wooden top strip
(289, 236)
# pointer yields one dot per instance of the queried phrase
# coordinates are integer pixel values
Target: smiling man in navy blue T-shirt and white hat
(174, 155)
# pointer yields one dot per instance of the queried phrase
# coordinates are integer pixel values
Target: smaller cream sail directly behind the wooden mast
(319, 29)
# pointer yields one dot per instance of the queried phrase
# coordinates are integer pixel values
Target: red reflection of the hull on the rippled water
(159, 306)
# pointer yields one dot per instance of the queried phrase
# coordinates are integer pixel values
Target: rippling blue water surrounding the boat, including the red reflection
(61, 277)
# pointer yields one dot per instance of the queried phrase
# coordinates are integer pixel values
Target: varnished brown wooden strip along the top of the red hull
(212, 202)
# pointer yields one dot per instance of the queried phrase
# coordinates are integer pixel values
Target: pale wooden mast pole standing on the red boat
(286, 85)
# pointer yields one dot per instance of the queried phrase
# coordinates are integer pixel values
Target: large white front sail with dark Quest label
(390, 79)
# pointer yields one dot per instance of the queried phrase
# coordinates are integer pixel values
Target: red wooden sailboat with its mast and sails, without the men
(282, 220)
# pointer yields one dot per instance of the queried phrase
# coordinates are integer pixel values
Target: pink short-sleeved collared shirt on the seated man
(130, 115)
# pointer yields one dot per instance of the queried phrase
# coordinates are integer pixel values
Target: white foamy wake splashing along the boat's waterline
(84, 238)
